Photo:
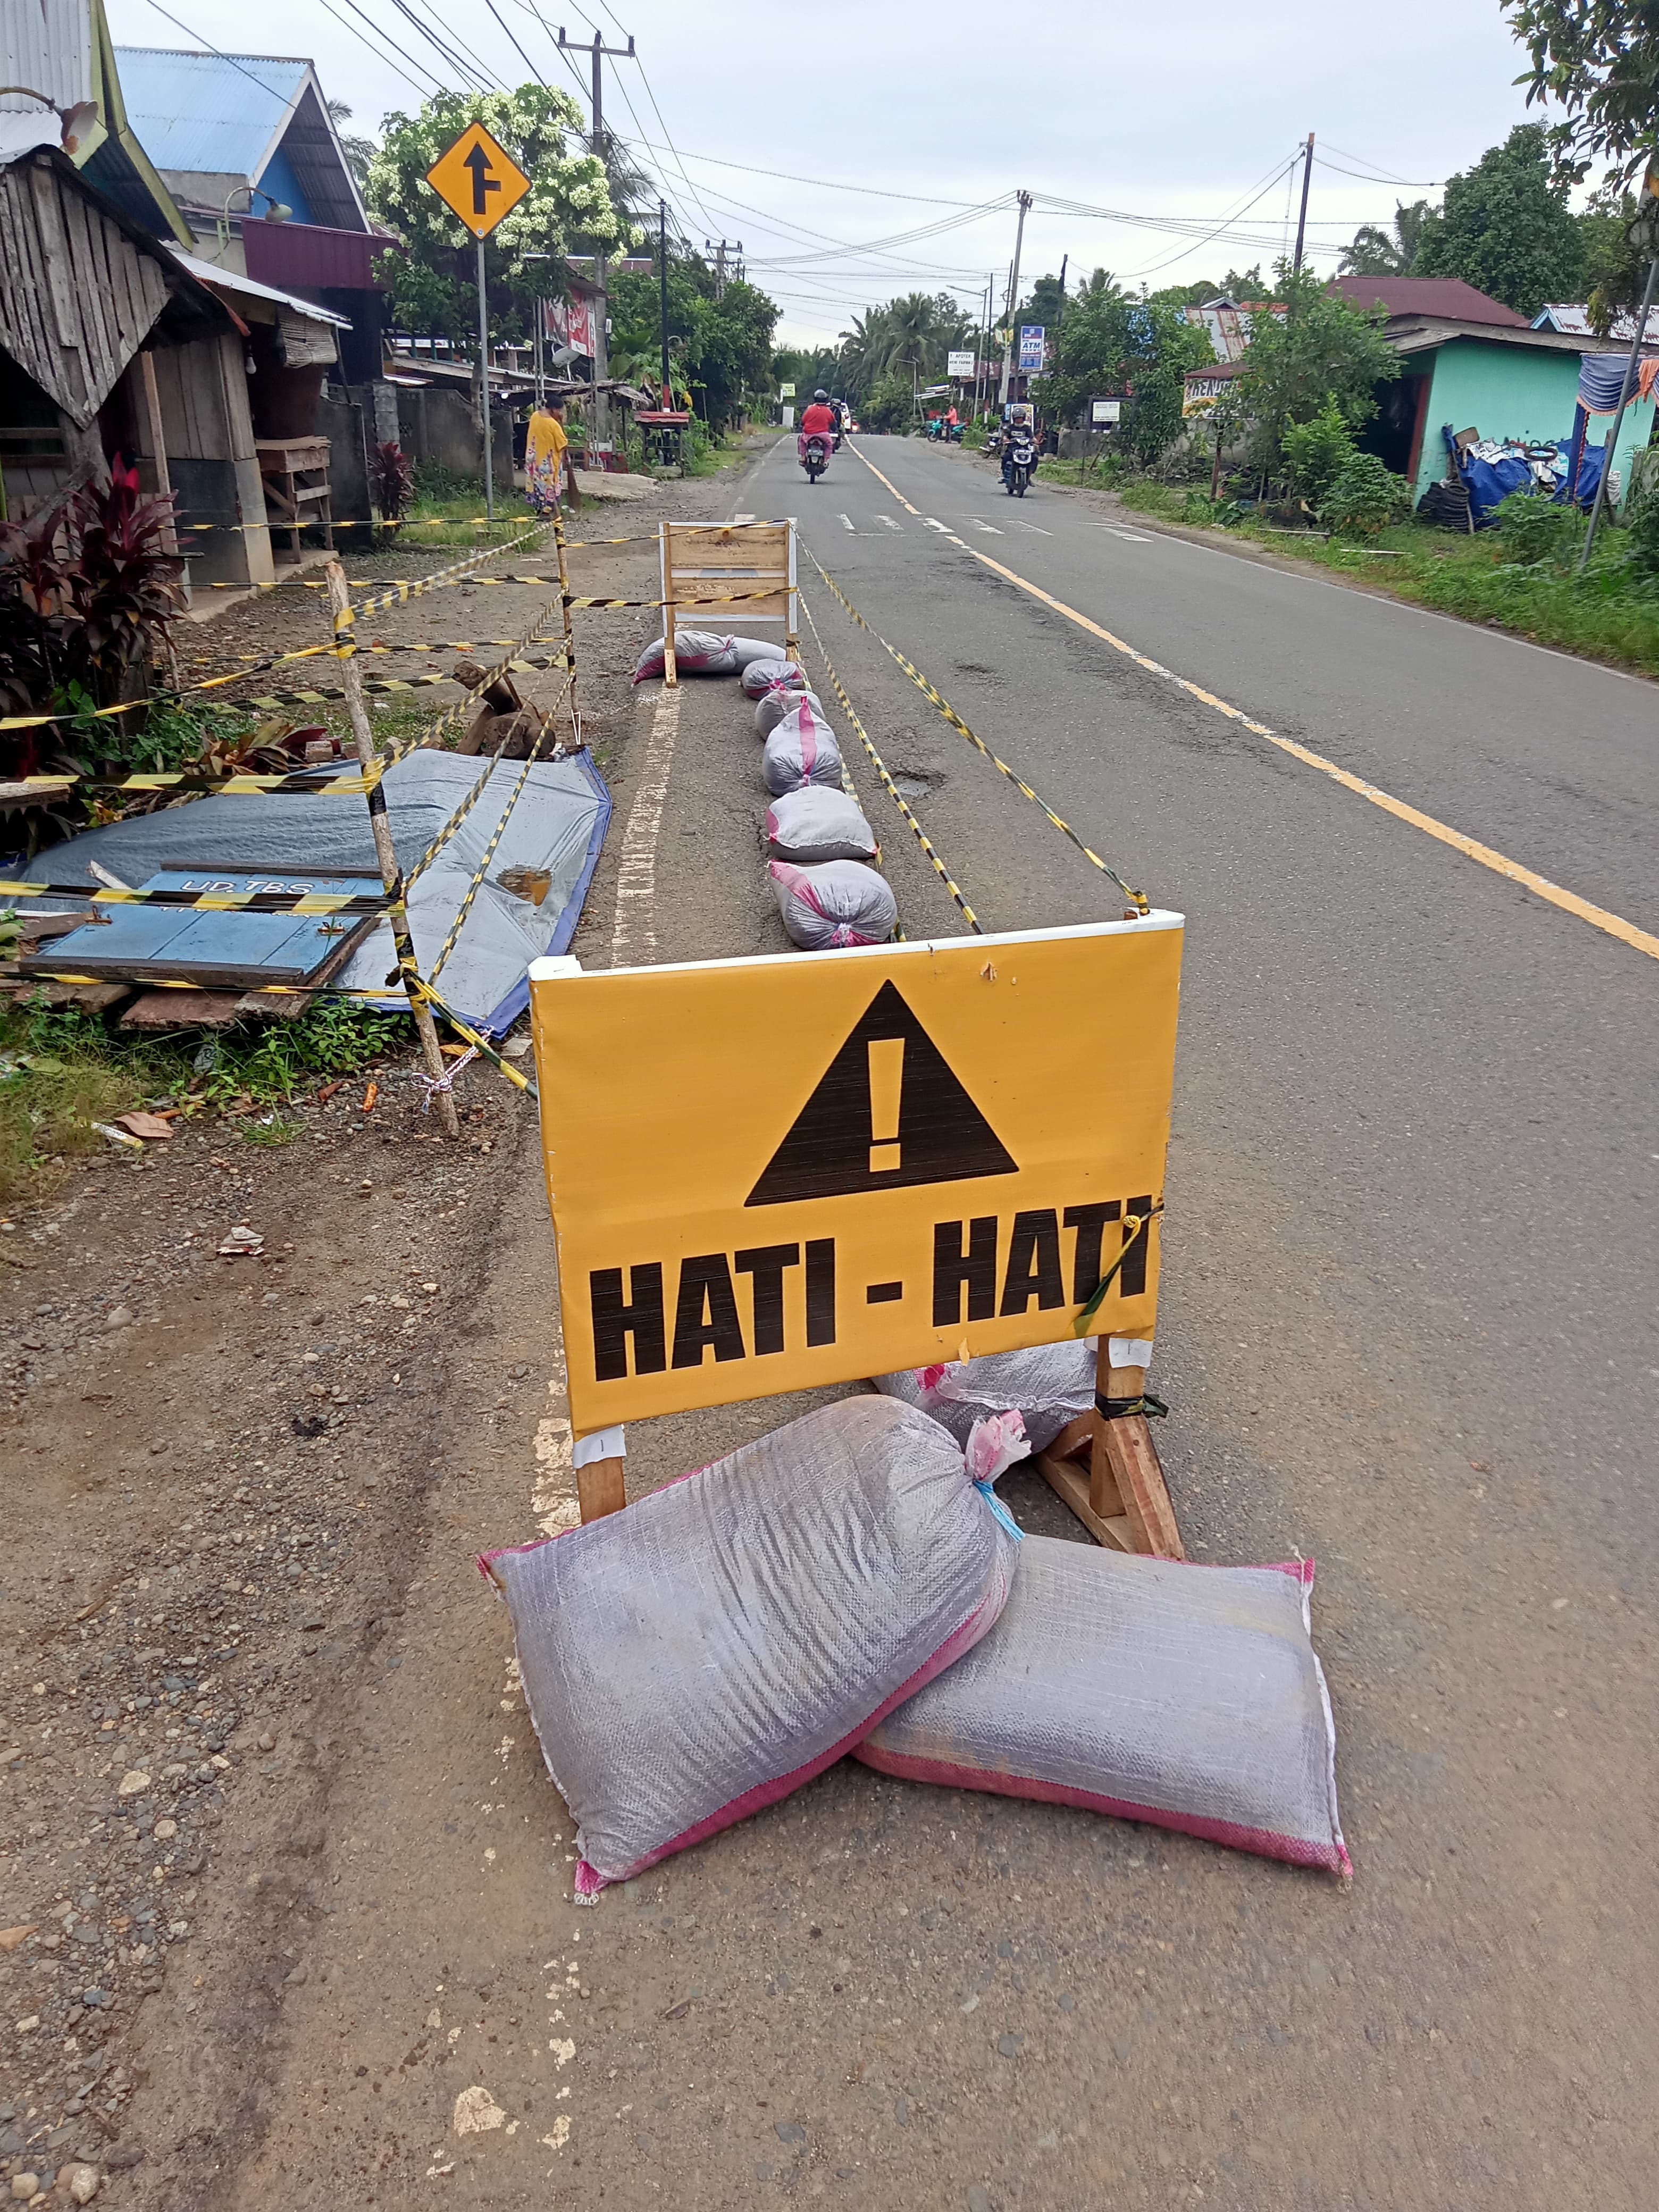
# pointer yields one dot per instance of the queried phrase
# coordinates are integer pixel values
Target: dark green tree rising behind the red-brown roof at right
(1507, 229)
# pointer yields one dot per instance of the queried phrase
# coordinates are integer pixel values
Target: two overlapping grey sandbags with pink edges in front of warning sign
(851, 1585)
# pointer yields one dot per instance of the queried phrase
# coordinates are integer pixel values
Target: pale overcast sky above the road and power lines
(1180, 116)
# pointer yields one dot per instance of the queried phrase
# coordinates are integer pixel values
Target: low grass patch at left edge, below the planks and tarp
(63, 1074)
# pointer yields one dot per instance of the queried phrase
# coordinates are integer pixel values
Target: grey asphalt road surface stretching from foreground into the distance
(1406, 1331)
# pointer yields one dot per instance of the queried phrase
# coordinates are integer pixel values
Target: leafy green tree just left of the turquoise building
(1322, 355)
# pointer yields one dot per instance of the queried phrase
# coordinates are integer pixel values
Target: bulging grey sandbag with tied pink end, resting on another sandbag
(718, 1645)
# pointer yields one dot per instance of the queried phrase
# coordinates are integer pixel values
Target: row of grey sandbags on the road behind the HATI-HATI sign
(824, 855)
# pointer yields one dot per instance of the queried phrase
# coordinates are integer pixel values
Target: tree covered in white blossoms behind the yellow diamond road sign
(430, 273)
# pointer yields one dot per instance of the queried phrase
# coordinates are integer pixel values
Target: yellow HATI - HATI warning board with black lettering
(771, 1176)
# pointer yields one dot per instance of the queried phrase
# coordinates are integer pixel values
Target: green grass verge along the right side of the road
(1611, 614)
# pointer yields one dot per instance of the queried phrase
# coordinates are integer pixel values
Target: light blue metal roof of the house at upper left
(209, 112)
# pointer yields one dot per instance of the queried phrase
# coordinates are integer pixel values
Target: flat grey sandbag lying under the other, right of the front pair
(1147, 1689)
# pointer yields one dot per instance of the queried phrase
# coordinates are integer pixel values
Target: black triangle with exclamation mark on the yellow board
(930, 1129)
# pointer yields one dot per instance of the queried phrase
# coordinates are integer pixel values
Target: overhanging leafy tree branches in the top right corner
(1598, 63)
